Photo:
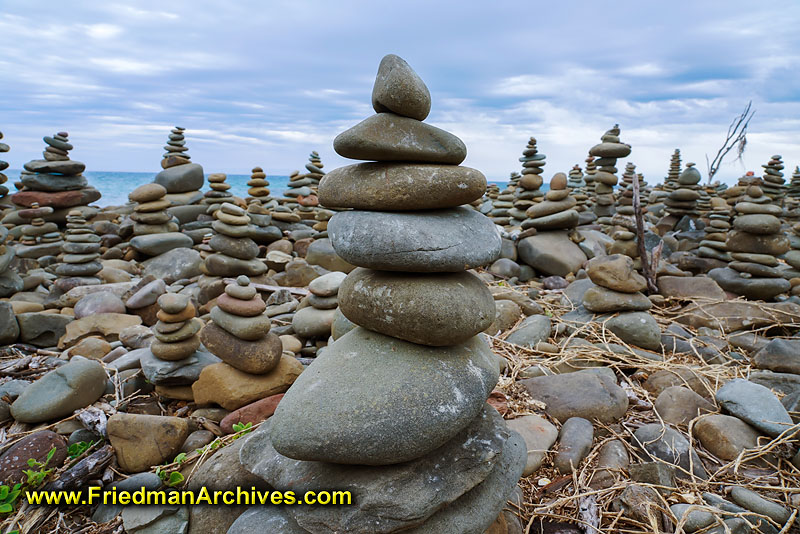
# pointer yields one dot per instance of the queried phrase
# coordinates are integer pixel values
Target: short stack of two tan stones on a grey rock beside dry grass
(618, 289)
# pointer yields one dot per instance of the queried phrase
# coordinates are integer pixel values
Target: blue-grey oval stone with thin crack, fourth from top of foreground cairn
(449, 240)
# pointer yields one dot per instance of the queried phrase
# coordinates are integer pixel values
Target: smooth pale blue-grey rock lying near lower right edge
(756, 405)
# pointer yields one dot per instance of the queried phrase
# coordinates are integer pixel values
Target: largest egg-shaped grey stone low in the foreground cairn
(371, 399)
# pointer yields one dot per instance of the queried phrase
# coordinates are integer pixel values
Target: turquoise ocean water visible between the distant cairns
(115, 186)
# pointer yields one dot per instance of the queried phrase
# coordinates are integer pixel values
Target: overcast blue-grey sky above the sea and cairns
(265, 82)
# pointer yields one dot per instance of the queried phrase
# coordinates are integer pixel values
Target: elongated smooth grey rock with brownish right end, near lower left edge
(72, 386)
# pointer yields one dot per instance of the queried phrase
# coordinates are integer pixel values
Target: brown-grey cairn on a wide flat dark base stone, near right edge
(754, 245)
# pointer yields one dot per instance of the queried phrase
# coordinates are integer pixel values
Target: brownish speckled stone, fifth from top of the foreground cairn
(430, 309)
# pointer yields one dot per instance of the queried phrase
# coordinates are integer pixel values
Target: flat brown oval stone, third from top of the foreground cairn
(400, 186)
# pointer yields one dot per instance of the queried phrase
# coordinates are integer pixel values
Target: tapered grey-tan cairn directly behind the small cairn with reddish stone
(235, 252)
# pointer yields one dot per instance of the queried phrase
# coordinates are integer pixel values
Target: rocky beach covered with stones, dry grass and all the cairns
(603, 356)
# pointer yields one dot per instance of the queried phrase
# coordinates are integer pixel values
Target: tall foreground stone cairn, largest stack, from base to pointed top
(346, 419)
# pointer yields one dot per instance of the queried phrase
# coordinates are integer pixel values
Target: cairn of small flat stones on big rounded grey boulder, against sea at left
(182, 179)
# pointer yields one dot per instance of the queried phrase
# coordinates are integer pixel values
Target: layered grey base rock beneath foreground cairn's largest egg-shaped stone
(387, 498)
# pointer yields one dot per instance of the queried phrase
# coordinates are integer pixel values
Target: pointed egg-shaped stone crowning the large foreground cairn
(400, 90)
